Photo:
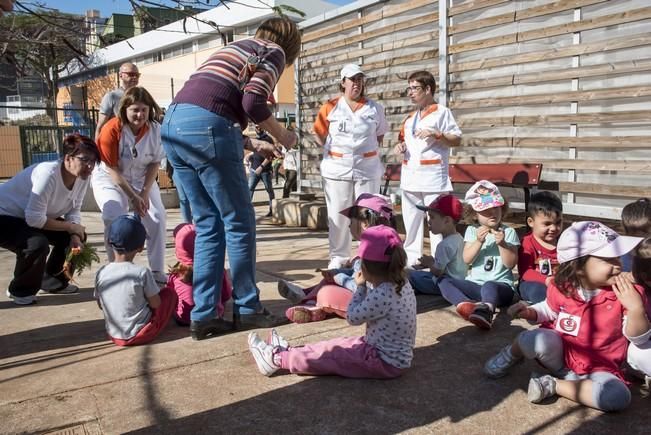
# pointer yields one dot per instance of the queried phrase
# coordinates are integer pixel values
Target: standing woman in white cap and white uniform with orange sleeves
(350, 128)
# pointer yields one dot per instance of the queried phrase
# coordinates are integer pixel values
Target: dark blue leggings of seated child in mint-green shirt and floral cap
(456, 291)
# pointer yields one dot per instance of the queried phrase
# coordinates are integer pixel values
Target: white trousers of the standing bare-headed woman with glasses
(414, 220)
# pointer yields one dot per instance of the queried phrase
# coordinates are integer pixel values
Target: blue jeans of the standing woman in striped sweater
(206, 151)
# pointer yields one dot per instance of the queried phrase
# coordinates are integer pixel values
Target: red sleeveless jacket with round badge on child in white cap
(591, 331)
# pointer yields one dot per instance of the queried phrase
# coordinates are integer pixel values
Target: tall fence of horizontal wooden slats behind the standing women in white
(565, 83)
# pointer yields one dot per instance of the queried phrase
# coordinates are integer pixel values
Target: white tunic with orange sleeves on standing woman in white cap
(351, 149)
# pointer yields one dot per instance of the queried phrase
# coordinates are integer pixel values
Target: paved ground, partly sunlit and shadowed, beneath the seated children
(58, 373)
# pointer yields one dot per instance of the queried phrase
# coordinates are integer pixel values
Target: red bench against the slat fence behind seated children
(519, 175)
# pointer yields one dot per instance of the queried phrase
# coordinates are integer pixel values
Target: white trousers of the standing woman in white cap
(341, 194)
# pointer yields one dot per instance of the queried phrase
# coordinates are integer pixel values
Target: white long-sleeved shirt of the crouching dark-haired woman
(37, 193)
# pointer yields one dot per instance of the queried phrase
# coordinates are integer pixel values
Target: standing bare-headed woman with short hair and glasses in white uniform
(424, 141)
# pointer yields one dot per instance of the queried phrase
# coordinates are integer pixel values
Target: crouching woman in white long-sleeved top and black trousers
(41, 206)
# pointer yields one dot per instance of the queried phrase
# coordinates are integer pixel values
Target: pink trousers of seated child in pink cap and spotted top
(348, 357)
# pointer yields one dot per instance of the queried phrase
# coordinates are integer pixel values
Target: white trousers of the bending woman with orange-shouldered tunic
(113, 202)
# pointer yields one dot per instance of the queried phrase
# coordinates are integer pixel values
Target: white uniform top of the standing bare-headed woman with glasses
(425, 164)
